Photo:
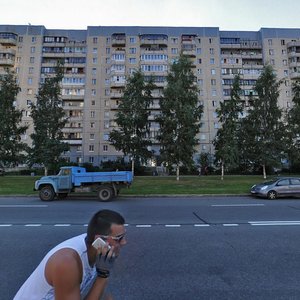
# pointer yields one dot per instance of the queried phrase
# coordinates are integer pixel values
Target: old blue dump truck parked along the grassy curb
(76, 179)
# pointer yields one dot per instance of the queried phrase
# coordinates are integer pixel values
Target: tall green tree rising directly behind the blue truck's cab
(48, 119)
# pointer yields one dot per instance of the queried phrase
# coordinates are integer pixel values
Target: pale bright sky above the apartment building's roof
(244, 15)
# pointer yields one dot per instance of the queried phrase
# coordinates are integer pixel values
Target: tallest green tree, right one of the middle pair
(180, 116)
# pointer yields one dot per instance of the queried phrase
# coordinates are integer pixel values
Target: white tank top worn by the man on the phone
(37, 288)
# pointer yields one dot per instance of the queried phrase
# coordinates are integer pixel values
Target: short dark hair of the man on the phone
(101, 223)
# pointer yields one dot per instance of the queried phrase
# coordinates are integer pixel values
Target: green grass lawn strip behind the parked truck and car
(152, 185)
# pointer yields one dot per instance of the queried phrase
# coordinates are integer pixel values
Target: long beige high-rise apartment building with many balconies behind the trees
(98, 60)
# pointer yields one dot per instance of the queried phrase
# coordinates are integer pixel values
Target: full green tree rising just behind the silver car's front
(263, 129)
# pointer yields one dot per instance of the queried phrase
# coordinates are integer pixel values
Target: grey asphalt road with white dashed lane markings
(178, 247)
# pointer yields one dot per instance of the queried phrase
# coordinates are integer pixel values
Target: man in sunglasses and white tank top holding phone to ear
(78, 268)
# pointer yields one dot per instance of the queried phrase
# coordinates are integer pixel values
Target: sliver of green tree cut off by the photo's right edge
(293, 127)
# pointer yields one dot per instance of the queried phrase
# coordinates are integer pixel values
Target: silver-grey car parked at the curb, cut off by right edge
(278, 187)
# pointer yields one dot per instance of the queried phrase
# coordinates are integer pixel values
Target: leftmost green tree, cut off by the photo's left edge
(11, 147)
